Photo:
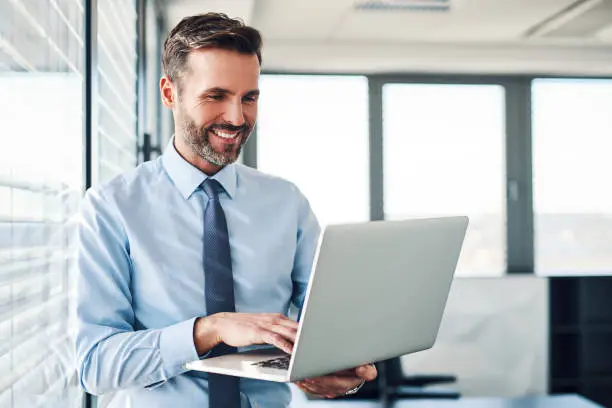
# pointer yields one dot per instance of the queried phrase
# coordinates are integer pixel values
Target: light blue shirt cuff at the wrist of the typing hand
(177, 347)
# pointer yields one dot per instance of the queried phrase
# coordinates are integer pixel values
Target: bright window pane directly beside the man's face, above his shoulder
(313, 131)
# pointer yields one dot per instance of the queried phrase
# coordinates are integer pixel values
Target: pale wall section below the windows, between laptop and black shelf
(494, 337)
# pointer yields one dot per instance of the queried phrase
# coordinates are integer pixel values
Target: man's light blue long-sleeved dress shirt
(141, 276)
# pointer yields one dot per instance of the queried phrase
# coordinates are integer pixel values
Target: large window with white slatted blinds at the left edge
(41, 182)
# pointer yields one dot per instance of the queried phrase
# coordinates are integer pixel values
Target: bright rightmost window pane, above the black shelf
(572, 174)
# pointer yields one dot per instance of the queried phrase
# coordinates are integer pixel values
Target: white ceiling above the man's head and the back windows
(495, 35)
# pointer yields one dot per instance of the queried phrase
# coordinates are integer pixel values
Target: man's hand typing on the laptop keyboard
(245, 329)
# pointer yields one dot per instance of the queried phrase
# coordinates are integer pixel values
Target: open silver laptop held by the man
(377, 290)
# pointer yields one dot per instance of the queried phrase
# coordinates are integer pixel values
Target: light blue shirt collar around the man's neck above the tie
(187, 178)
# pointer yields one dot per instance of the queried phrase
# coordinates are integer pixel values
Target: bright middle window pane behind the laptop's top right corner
(443, 149)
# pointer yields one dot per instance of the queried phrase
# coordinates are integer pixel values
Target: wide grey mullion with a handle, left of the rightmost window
(519, 183)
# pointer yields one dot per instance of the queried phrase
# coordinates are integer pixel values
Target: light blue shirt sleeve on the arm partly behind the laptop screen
(308, 232)
